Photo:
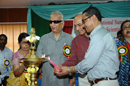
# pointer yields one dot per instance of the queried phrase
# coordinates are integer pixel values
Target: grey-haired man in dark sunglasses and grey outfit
(52, 45)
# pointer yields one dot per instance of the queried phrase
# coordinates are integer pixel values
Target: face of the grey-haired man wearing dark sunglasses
(56, 27)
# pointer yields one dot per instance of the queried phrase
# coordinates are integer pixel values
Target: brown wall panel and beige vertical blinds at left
(12, 23)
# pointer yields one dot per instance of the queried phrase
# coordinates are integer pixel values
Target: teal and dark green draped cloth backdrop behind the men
(38, 16)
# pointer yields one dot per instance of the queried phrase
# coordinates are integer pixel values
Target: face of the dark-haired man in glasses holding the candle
(87, 21)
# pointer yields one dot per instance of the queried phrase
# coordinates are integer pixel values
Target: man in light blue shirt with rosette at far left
(5, 60)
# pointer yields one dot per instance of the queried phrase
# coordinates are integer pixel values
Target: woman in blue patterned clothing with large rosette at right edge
(124, 53)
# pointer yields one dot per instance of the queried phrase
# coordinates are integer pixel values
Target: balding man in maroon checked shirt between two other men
(78, 49)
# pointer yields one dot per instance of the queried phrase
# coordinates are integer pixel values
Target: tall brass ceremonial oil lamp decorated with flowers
(32, 61)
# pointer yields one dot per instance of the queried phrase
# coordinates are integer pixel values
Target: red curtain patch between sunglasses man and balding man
(68, 26)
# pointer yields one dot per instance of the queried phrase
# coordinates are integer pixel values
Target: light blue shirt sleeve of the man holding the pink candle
(94, 53)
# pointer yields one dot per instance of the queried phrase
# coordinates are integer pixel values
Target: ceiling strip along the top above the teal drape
(26, 3)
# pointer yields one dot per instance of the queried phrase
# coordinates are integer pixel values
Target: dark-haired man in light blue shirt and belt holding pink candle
(101, 60)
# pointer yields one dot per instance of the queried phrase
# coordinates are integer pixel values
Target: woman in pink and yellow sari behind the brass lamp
(17, 76)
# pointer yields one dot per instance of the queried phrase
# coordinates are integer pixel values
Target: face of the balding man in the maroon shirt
(79, 25)
